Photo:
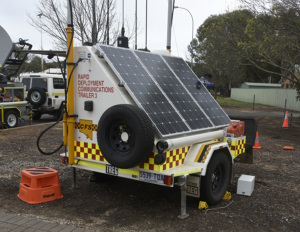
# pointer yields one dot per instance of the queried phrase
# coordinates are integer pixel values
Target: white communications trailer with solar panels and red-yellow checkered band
(147, 117)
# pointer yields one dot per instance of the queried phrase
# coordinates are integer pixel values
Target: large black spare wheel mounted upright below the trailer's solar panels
(125, 136)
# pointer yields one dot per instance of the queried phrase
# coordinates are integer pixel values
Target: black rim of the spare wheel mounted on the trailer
(120, 137)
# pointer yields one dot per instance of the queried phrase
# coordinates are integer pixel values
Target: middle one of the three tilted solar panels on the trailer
(174, 91)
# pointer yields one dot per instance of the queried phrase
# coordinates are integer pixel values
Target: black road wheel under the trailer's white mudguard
(215, 182)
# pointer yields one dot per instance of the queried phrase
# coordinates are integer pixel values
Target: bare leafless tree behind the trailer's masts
(89, 19)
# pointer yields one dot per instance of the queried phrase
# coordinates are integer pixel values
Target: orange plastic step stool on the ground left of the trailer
(39, 185)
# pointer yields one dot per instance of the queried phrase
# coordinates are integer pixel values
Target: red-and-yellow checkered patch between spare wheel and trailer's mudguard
(174, 158)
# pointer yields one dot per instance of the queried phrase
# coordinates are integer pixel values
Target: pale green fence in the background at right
(272, 97)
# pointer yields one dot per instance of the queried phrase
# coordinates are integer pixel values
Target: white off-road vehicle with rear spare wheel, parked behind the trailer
(45, 92)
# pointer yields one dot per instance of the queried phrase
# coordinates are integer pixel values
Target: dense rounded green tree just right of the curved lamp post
(216, 50)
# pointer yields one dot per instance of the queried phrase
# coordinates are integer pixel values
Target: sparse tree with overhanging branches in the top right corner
(273, 37)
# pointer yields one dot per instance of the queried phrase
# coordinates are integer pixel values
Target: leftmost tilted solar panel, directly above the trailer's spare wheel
(144, 90)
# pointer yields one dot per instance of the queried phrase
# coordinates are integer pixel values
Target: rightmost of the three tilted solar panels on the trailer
(209, 105)
